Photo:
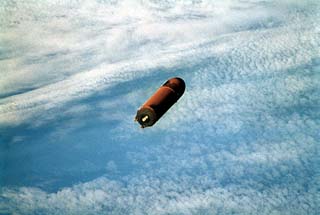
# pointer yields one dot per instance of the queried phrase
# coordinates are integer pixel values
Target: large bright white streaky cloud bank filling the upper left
(68, 56)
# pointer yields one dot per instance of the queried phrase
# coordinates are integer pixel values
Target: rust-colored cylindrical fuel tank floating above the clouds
(160, 102)
